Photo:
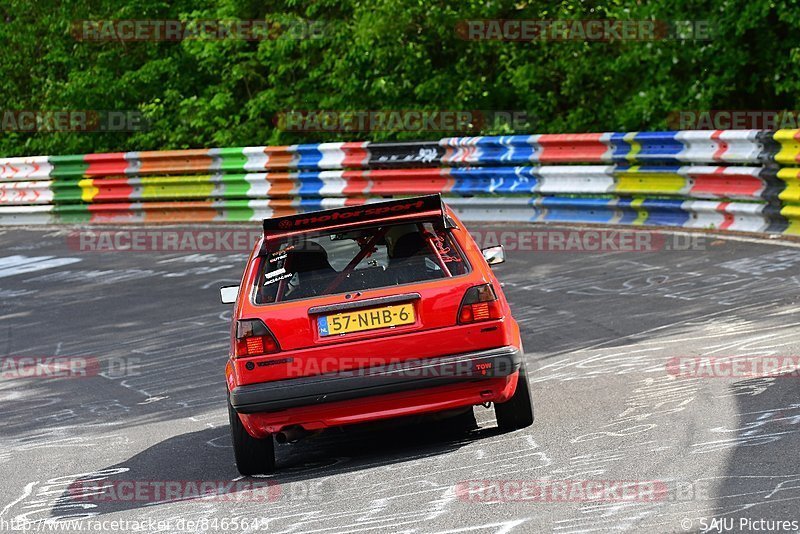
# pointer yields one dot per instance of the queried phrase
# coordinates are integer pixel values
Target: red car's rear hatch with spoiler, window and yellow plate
(343, 289)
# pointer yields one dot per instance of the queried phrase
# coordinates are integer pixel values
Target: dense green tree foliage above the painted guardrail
(383, 55)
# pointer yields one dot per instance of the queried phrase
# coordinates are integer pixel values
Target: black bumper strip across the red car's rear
(409, 375)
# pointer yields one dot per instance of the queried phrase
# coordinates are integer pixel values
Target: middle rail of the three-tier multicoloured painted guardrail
(744, 183)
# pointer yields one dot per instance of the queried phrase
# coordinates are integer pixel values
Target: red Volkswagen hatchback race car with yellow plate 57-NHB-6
(367, 312)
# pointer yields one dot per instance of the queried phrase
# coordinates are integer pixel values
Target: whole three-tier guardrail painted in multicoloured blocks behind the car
(725, 179)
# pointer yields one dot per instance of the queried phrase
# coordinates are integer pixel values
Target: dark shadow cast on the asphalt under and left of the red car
(207, 456)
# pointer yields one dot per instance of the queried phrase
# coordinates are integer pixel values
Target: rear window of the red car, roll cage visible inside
(327, 263)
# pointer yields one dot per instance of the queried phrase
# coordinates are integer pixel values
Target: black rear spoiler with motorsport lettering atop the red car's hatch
(391, 210)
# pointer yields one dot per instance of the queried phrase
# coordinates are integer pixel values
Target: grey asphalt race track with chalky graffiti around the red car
(598, 328)
